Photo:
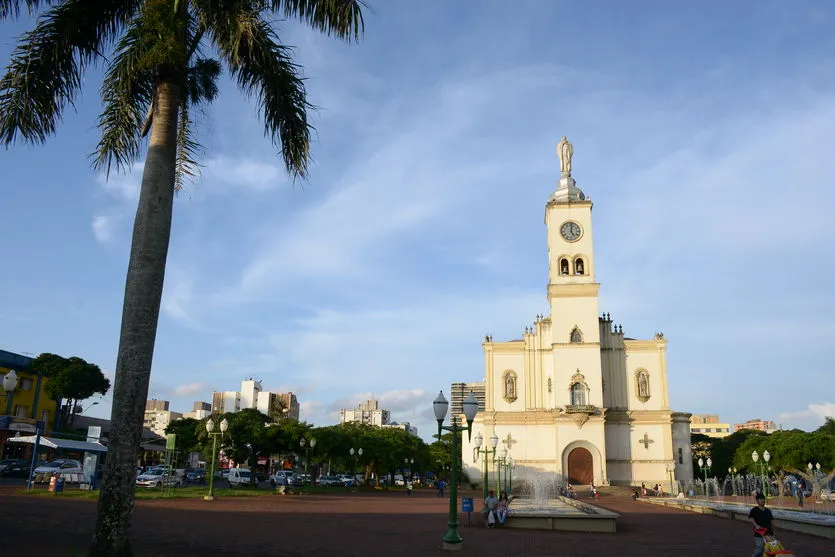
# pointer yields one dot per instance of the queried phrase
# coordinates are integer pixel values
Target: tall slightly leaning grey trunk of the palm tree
(140, 313)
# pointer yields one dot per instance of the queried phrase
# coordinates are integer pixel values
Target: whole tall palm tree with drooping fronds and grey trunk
(156, 77)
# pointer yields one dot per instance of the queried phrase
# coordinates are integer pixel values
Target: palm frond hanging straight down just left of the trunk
(127, 91)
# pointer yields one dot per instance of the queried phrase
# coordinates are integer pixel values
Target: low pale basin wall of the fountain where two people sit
(562, 514)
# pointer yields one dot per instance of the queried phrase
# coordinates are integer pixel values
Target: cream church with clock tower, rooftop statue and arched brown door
(574, 396)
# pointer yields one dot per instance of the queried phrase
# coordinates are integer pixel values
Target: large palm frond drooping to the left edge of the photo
(45, 71)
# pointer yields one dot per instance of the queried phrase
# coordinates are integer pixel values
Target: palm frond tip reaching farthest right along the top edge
(342, 18)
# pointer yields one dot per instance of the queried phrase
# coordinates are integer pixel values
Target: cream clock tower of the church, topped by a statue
(573, 292)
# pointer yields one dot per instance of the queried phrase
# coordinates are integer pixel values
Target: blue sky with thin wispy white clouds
(703, 132)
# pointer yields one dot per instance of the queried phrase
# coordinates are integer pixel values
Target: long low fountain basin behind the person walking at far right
(796, 521)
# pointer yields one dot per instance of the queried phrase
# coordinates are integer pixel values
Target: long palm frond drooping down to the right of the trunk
(263, 67)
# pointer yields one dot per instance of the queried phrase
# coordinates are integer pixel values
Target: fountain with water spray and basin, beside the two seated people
(541, 507)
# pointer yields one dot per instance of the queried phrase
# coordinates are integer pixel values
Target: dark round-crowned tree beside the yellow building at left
(72, 379)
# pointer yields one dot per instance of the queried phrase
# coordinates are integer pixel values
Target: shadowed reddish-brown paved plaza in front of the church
(360, 524)
